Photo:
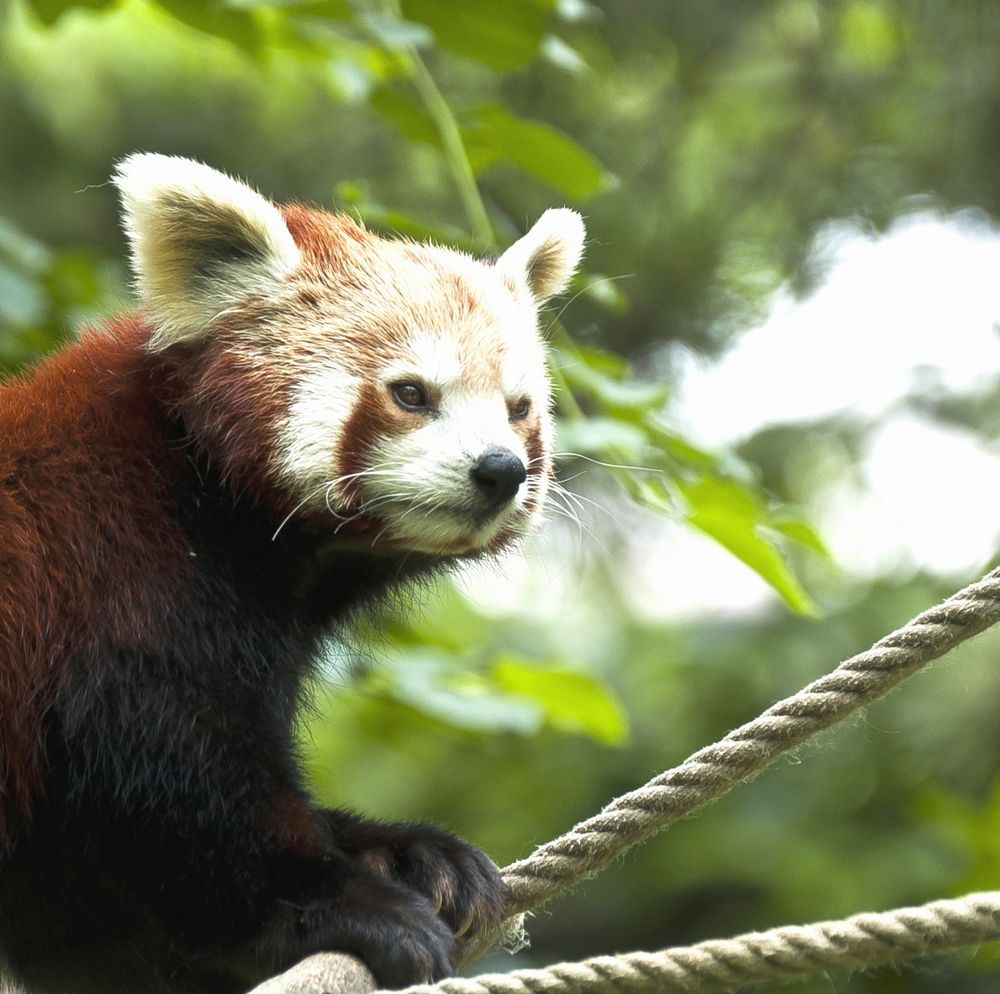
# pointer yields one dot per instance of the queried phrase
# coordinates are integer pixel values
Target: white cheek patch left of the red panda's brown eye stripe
(313, 434)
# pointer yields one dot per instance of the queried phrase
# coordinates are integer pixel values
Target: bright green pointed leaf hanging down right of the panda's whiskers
(733, 515)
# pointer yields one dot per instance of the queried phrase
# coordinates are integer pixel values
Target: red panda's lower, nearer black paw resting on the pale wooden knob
(394, 930)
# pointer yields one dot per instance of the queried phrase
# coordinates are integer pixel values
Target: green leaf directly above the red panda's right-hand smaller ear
(495, 135)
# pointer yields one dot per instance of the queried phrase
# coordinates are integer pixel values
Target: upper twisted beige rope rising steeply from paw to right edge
(558, 865)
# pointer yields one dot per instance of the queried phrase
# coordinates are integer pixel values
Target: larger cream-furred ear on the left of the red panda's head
(200, 240)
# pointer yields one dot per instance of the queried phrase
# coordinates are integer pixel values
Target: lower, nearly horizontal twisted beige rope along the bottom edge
(786, 953)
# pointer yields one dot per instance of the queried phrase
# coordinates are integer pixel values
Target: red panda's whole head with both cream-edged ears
(392, 391)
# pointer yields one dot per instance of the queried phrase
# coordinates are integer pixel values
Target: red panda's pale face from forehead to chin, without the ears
(423, 422)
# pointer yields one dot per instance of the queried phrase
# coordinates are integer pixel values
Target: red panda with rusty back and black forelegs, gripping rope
(302, 417)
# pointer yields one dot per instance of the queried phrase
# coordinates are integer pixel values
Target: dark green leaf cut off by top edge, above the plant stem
(502, 35)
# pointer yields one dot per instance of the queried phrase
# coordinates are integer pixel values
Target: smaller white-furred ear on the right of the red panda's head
(547, 256)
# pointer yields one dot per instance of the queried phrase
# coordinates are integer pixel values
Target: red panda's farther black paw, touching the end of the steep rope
(459, 880)
